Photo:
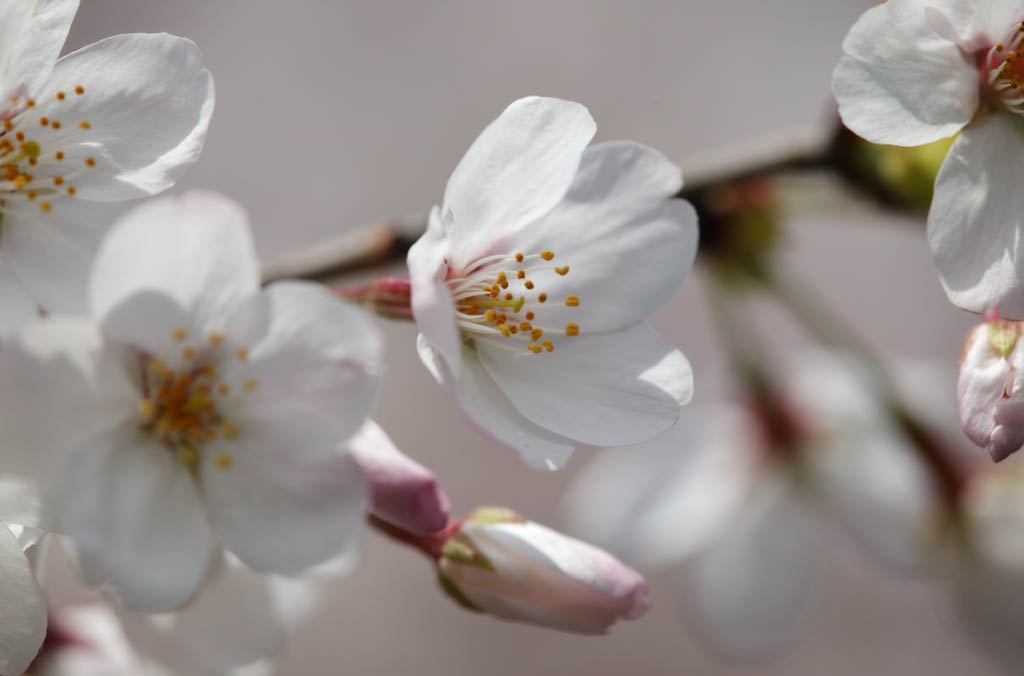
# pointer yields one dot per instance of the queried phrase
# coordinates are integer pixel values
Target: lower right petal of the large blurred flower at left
(276, 514)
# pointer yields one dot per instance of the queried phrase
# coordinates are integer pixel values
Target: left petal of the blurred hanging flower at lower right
(660, 502)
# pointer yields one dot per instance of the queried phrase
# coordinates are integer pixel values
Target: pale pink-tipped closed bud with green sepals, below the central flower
(517, 570)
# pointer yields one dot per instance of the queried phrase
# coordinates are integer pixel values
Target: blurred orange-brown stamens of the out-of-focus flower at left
(181, 408)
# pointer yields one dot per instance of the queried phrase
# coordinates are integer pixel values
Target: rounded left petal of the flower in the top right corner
(901, 82)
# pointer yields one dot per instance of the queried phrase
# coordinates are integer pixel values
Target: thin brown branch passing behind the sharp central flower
(371, 246)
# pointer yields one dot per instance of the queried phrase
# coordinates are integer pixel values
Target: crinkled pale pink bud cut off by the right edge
(991, 390)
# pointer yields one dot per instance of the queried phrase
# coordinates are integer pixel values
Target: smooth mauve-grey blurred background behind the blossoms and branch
(332, 114)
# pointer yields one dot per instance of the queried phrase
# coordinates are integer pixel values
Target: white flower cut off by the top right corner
(917, 71)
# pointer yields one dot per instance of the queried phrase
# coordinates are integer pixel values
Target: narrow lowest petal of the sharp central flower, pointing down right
(491, 413)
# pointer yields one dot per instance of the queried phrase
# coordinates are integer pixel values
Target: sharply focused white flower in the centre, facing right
(536, 276)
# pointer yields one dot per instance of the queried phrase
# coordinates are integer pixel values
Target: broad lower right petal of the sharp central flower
(608, 390)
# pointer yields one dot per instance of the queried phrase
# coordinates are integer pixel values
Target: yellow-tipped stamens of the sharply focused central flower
(499, 303)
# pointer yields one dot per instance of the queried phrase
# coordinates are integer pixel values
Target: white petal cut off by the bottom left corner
(23, 618)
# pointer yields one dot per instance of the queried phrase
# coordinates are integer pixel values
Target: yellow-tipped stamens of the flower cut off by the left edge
(34, 171)
